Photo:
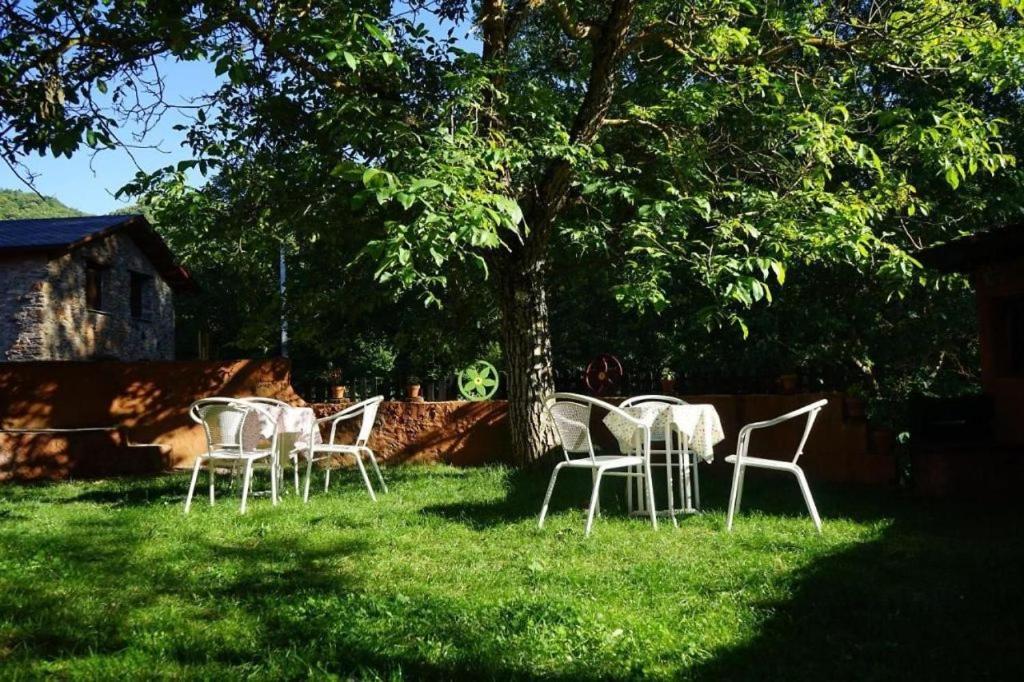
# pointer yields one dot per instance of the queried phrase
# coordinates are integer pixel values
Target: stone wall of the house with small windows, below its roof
(48, 318)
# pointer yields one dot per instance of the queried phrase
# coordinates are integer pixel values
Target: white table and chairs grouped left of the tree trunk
(263, 434)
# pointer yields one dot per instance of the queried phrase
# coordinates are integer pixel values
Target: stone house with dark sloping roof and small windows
(91, 288)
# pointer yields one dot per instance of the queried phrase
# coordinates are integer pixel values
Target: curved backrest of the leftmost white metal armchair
(233, 423)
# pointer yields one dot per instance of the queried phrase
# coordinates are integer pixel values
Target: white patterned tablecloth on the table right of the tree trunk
(700, 423)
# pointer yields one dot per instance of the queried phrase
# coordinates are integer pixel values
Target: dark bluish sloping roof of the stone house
(63, 235)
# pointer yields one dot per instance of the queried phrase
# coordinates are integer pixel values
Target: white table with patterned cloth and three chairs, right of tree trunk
(680, 435)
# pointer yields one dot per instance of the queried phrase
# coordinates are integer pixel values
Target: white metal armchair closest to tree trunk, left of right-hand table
(571, 416)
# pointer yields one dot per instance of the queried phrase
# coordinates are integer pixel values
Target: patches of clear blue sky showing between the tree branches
(90, 182)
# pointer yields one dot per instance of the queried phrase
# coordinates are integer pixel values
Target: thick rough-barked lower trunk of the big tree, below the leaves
(523, 297)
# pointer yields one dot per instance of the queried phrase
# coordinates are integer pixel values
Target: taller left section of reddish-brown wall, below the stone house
(148, 403)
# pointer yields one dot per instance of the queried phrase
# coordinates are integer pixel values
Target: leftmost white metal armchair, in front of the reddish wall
(234, 433)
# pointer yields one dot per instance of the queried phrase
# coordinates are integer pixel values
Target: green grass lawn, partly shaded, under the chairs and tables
(448, 577)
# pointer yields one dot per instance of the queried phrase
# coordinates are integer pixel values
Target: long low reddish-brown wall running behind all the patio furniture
(147, 406)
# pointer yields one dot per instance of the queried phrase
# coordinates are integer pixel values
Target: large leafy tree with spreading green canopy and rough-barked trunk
(706, 151)
